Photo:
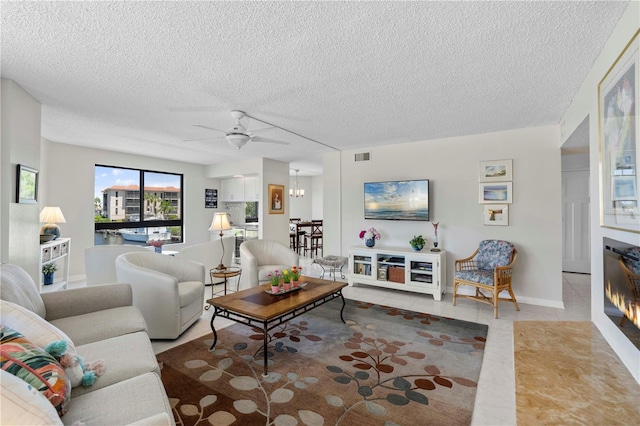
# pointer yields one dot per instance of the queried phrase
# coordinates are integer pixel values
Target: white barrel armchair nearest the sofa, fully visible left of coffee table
(169, 291)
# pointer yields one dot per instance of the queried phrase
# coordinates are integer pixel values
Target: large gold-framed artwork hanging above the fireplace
(619, 123)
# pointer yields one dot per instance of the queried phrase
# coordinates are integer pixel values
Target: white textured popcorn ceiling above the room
(136, 76)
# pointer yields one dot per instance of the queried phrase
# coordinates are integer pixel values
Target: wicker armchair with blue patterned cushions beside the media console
(489, 270)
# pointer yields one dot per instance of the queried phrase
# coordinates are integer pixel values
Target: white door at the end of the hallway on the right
(576, 238)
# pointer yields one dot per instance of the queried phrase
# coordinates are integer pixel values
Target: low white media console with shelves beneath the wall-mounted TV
(399, 268)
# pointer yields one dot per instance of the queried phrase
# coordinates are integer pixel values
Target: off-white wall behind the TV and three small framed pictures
(451, 165)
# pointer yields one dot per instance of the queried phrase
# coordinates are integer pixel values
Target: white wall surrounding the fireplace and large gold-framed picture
(585, 104)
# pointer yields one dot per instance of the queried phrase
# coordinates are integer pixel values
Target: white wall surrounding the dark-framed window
(69, 185)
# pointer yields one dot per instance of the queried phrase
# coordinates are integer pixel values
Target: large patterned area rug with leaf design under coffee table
(386, 366)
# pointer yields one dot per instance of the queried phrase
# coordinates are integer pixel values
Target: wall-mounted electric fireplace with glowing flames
(621, 301)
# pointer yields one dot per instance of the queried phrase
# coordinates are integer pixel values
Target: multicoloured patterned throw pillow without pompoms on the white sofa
(32, 364)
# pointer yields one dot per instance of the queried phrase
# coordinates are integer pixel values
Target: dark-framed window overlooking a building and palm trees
(125, 214)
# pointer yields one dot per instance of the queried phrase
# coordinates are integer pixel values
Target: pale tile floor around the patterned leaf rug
(496, 396)
